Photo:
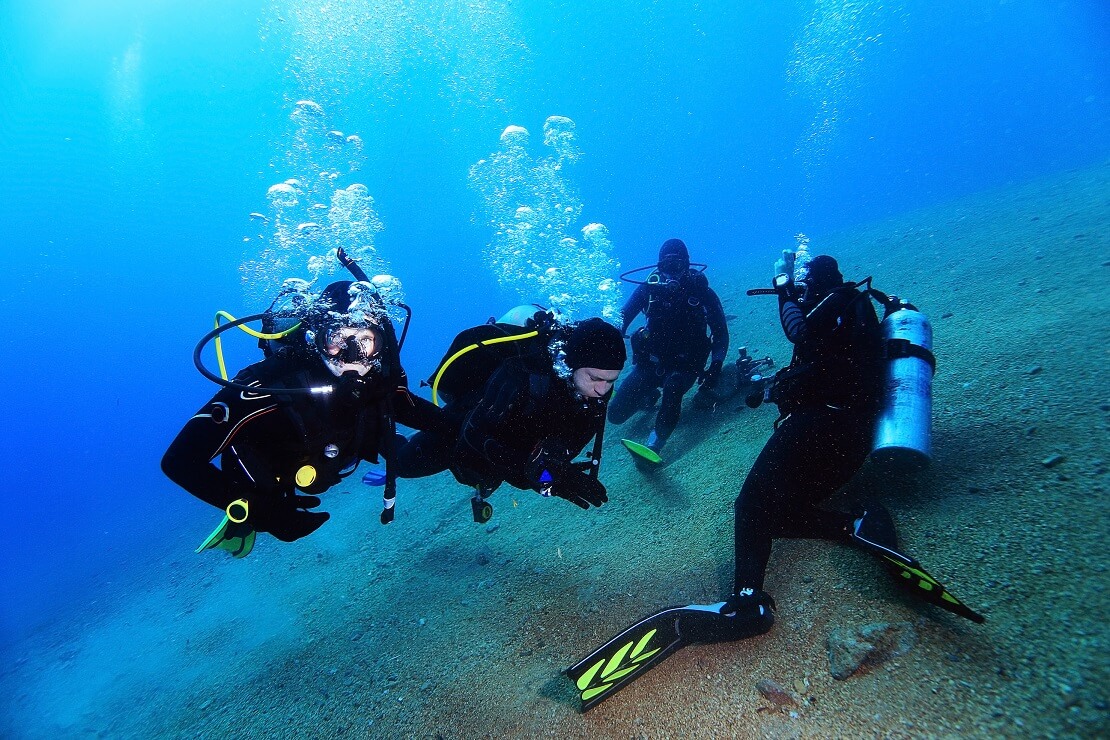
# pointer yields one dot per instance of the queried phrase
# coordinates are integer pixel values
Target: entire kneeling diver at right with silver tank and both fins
(835, 399)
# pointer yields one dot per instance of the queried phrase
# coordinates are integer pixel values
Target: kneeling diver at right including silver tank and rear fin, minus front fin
(842, 400)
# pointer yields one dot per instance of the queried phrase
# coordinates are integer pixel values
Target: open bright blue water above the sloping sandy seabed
(136, 139)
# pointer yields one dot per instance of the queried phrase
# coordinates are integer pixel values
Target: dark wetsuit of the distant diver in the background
(671, 352)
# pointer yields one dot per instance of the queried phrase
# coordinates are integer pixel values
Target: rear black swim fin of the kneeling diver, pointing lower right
(874, 532)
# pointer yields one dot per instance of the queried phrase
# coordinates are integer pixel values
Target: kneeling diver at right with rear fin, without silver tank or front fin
(830, 399)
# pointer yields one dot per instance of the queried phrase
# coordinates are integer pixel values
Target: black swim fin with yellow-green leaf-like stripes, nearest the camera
(638, 650)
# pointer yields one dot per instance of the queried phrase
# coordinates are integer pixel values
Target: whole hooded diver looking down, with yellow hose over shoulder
(524, 398)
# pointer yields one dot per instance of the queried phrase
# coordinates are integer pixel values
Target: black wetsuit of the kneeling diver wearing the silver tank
(829, 397)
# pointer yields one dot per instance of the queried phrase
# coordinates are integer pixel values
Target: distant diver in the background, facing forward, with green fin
(671, 351)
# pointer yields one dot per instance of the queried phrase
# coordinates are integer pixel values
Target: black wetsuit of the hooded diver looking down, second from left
(524, 413)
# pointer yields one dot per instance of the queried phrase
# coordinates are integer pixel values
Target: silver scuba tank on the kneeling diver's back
(903, 432)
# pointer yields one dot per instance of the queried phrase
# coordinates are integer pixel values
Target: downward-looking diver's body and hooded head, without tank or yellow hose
(529, 420)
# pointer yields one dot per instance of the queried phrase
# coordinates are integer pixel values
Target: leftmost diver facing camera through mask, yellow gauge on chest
(291, 427)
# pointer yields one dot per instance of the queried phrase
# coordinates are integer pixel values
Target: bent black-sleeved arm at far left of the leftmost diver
(189, 461)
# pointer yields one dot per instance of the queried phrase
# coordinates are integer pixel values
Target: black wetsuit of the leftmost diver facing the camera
(246, 445)
